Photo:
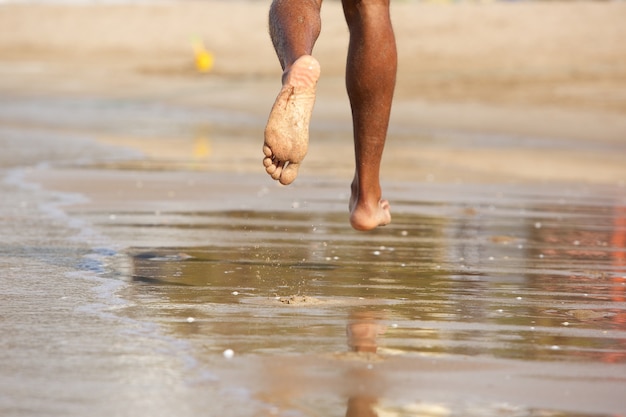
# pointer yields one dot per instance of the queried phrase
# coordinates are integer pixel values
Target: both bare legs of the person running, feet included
(370, 81)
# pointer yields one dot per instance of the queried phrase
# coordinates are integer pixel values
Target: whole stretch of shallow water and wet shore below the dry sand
(127, 291)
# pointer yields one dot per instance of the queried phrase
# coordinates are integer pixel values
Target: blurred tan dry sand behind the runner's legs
(552, 70)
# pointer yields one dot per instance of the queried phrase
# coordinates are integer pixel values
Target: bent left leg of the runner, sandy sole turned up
(294, 28)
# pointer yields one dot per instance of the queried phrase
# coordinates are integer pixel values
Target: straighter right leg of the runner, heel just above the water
(370, 81)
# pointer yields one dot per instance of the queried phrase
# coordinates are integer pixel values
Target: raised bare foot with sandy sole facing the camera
(287, 130)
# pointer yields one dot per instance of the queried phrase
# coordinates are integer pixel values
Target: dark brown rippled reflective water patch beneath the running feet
(549, 285)
